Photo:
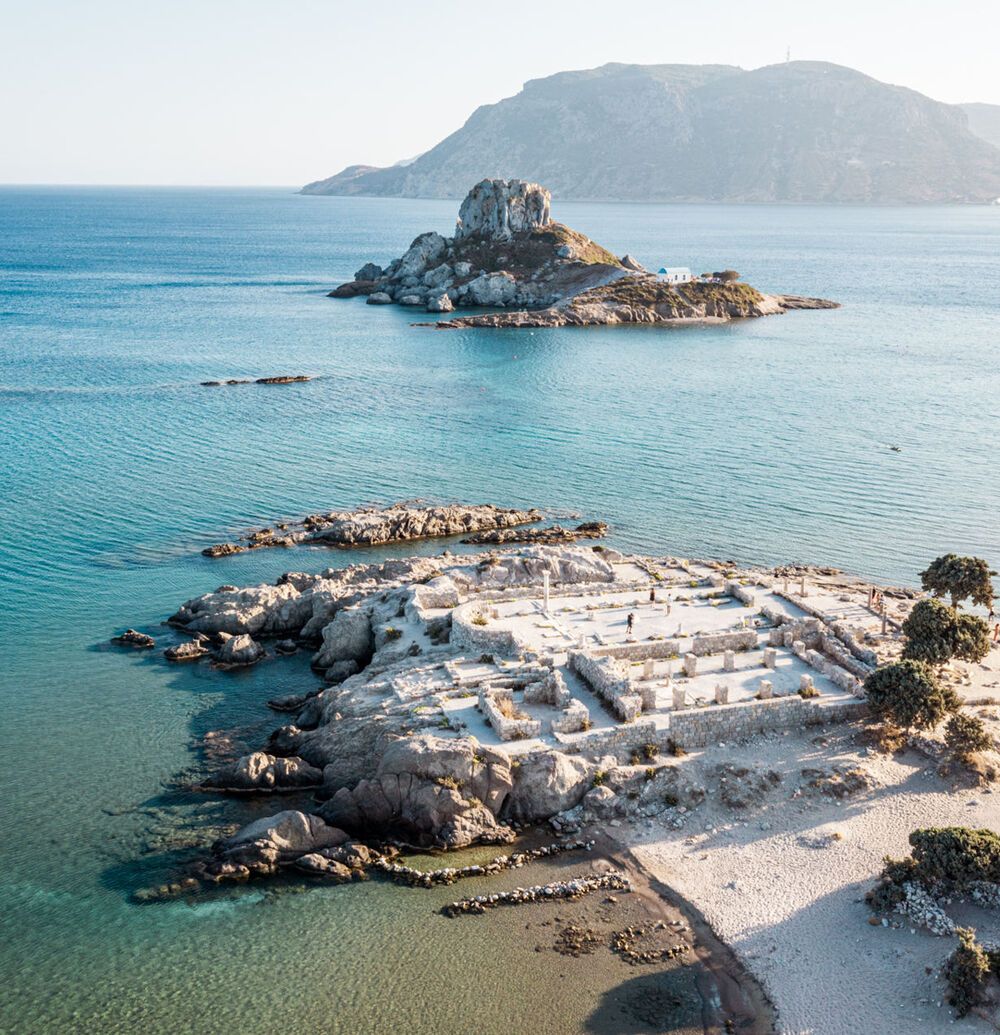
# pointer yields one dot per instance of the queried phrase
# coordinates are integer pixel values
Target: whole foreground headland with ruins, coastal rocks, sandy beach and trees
(797, 764)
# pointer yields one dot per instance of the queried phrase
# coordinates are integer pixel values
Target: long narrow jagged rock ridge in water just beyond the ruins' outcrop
(376, 526)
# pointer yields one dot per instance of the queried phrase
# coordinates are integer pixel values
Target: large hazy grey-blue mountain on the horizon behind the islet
(798, 132)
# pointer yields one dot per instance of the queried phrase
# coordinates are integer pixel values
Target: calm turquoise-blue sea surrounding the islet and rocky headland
(766, 441)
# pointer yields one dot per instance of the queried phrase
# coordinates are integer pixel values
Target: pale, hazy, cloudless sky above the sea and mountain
(286, 92)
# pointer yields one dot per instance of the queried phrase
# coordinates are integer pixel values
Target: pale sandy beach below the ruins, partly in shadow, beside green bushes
(796, 914)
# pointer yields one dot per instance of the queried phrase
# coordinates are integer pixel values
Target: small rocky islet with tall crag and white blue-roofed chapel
(508, 254)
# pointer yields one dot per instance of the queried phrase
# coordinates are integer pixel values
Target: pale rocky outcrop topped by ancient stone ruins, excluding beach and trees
(460, 701)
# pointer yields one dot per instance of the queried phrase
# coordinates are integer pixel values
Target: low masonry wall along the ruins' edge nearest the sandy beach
(697, 728)
